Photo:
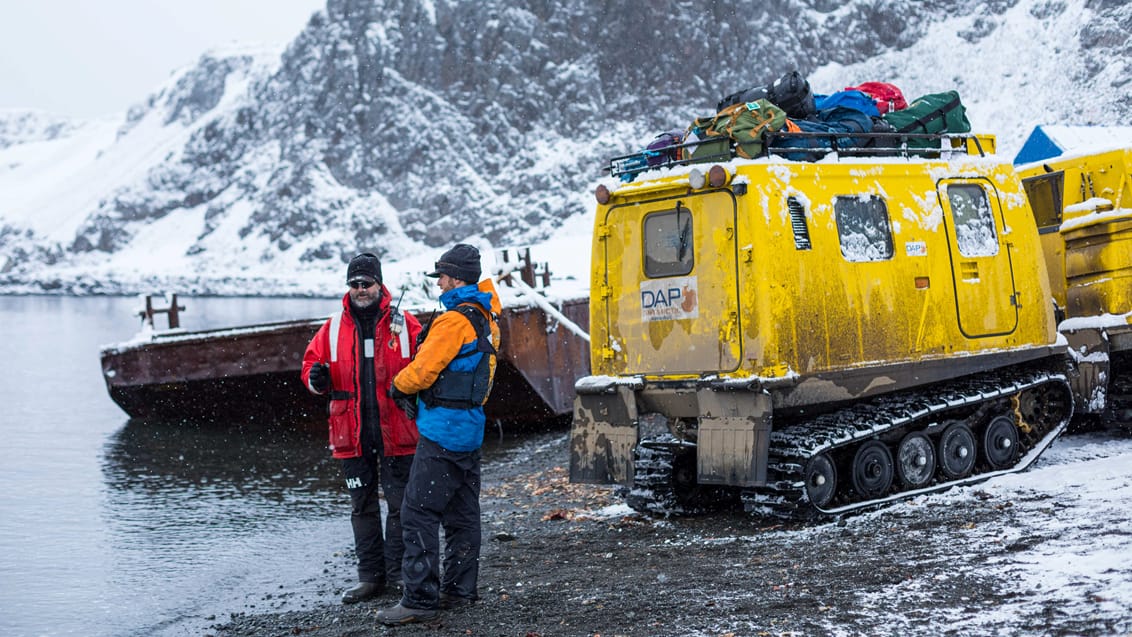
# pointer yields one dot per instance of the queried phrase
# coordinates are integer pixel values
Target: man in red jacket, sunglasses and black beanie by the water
(354, 358)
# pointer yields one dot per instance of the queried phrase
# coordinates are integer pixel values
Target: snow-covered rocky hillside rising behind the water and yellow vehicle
(404, 126)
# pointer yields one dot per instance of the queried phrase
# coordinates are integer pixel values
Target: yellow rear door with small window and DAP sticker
(671, 273)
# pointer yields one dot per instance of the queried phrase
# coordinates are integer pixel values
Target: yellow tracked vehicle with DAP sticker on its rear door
(816, 338)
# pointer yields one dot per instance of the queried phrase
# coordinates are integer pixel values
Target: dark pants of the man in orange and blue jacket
(444, 490)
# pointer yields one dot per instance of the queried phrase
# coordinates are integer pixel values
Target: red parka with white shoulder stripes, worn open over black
(392, 354)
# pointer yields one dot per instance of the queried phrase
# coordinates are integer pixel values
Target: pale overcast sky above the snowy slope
(96, 58)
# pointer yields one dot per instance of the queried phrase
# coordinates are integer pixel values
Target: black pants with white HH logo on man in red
(378, 561)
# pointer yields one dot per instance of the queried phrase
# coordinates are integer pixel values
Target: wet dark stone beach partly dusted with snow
(569, 559)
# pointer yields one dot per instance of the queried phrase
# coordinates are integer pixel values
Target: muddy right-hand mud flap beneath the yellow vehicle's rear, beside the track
(734, 440)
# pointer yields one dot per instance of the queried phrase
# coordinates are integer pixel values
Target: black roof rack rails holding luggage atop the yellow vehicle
(801, 147)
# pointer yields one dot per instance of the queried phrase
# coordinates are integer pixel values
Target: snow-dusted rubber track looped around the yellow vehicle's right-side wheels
(793, 446)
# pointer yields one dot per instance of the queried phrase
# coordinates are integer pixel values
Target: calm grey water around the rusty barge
(113, 527)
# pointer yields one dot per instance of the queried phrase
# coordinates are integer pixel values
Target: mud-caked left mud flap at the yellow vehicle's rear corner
(603, 438)
